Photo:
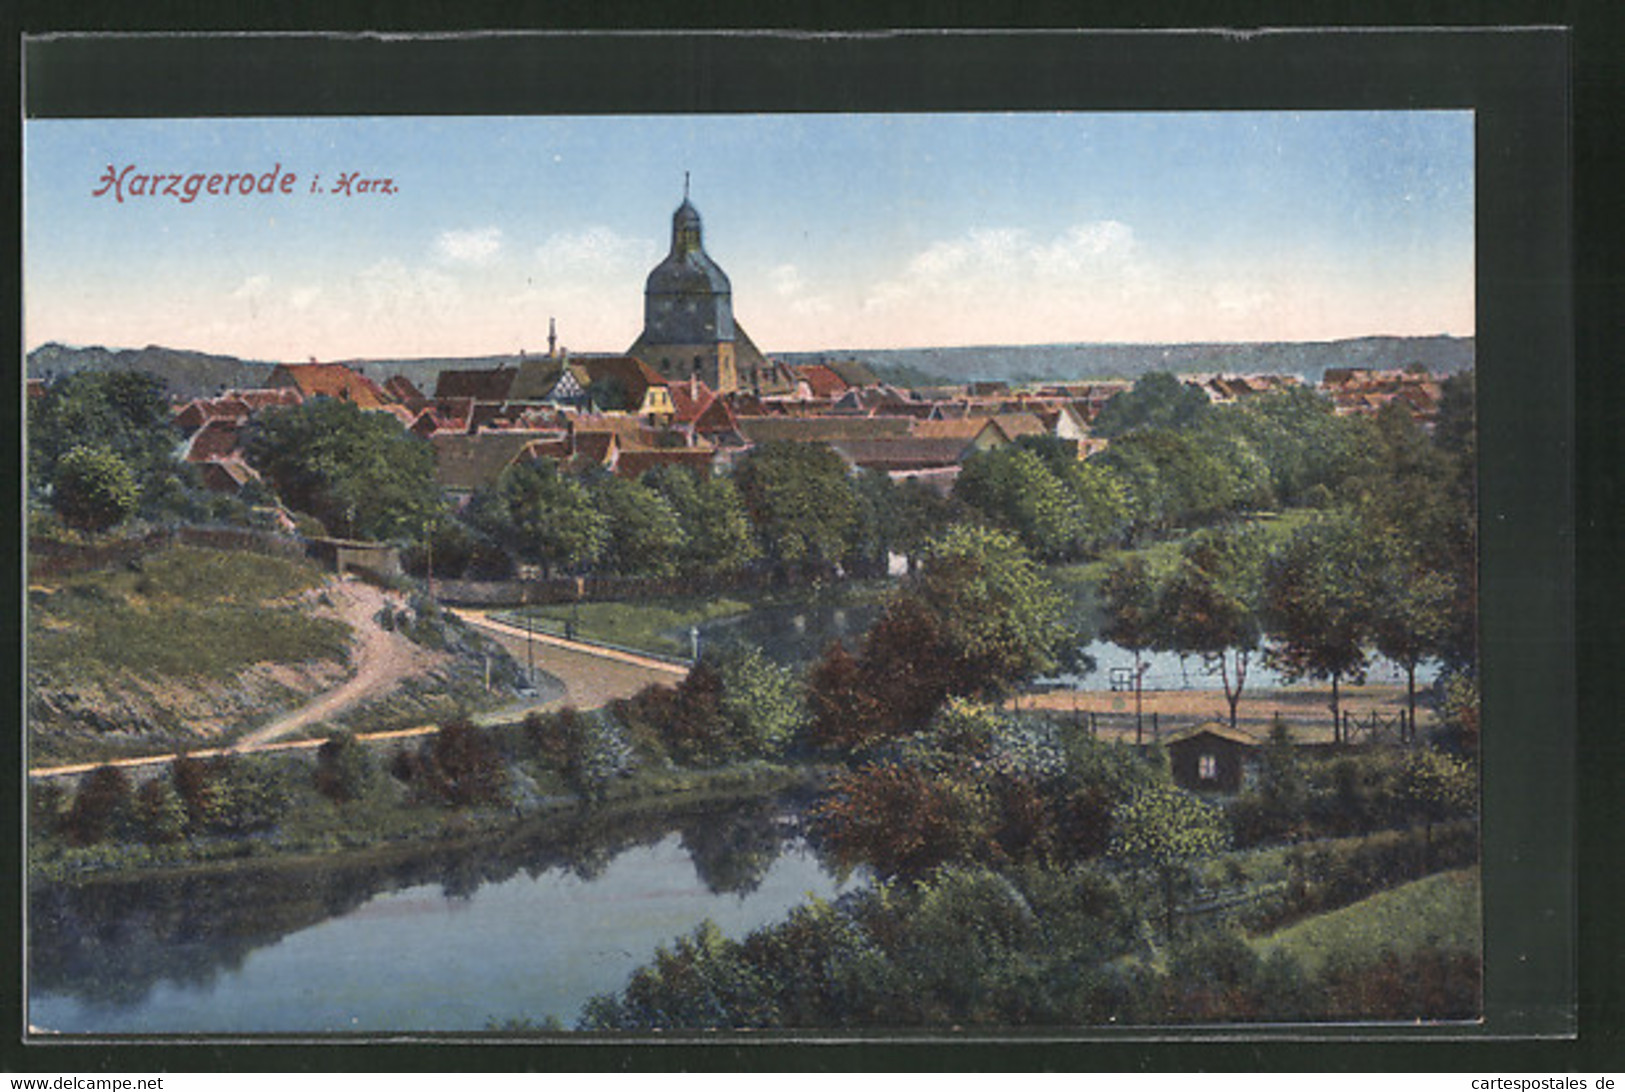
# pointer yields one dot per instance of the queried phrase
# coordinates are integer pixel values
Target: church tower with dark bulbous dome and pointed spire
(688, 311)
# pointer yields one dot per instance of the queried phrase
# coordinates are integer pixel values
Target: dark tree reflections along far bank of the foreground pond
(111, 942)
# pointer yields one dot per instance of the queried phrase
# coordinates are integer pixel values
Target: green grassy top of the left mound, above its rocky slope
(183, 613)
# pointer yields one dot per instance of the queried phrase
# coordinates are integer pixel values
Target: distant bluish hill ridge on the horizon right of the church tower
(1021, 363)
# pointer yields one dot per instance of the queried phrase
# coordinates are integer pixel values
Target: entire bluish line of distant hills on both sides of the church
(201, 375)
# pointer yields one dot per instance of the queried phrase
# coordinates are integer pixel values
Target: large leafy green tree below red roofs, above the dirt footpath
(362, 474)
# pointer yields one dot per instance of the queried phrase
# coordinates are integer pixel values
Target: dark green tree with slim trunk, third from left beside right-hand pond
(1319, 592)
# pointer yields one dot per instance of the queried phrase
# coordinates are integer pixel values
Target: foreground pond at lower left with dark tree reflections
(448, 942)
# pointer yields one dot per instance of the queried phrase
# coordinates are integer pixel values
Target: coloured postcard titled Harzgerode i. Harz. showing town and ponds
(570, 574)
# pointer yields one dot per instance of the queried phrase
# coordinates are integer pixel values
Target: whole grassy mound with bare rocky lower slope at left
(181, 646)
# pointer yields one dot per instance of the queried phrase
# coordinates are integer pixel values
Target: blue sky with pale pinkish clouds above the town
(836, 232)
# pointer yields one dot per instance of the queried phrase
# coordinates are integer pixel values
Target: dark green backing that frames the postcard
(1517, 82)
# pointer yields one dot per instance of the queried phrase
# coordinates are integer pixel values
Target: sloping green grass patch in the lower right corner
(1439, 914)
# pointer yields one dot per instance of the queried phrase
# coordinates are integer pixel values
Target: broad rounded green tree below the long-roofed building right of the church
(800, 501)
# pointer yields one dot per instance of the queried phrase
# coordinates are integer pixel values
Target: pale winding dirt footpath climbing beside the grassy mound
(384, 661)
